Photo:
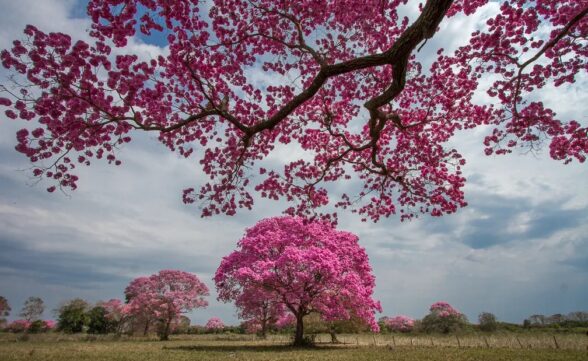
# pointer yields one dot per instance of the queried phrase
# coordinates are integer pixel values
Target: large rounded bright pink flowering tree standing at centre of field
(306, 267)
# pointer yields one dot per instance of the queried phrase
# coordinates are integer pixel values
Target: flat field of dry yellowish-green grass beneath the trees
(237, 347)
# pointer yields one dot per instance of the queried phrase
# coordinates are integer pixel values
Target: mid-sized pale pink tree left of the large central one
(164, 296)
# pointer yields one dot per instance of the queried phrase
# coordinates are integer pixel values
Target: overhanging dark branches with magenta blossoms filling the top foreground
(362, 106)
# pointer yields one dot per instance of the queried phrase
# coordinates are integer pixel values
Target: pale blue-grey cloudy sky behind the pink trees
(519, 248)
